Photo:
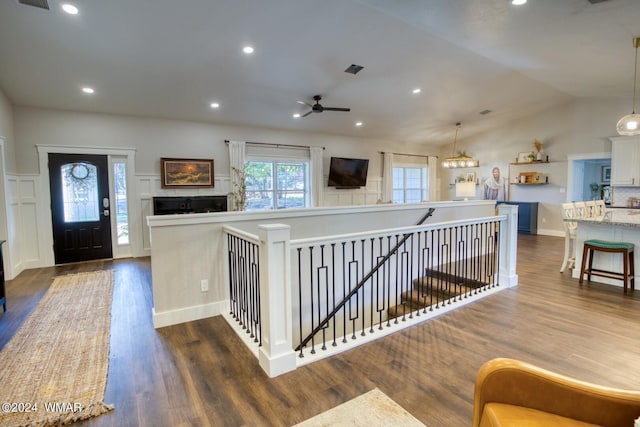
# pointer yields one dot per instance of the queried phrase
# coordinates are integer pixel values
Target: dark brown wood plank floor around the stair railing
(200, 373)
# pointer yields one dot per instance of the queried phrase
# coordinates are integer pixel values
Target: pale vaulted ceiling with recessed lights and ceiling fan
(171, 59)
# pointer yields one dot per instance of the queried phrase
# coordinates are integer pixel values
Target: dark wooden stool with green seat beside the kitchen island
(626, 249)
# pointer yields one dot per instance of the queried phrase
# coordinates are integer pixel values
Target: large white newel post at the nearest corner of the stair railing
(276, 354)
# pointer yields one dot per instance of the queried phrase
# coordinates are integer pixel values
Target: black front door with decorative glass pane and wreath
(80, 207)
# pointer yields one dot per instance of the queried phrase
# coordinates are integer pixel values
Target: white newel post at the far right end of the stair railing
(508, 245)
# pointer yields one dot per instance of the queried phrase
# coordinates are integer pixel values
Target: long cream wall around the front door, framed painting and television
(156, 138)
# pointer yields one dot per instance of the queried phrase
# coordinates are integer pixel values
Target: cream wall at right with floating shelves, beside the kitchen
(579, 127)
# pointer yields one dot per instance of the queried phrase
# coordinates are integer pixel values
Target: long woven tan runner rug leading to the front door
(54, 369)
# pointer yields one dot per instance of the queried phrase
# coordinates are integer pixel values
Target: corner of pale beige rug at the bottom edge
(373, 408)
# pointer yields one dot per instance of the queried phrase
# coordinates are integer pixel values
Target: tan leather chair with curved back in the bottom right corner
(515, 393)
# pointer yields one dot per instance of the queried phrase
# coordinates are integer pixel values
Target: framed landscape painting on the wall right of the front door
(186, 173)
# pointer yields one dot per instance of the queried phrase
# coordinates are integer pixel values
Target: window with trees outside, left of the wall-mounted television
(276, 184)
